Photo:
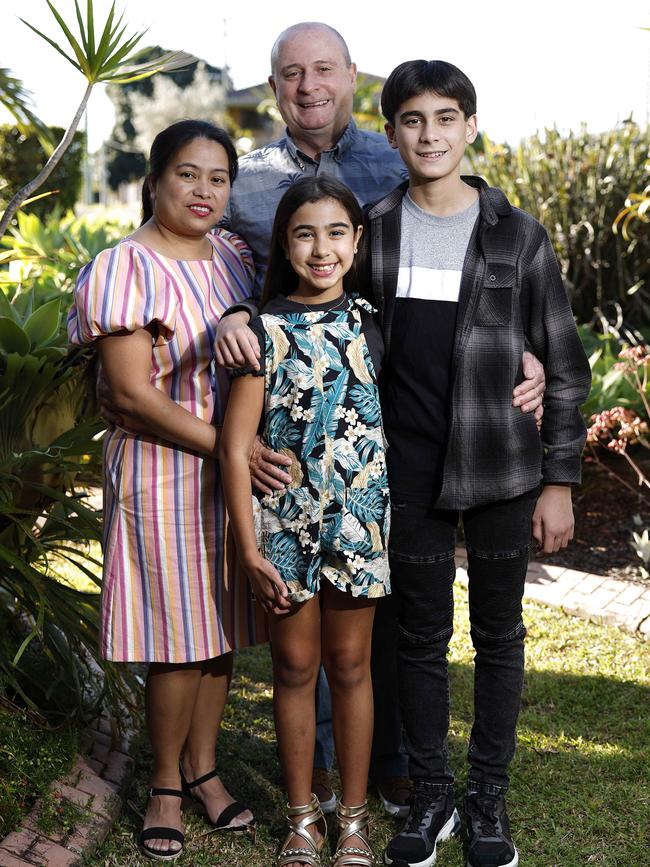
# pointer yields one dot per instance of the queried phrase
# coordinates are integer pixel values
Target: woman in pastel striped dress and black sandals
(171, 594)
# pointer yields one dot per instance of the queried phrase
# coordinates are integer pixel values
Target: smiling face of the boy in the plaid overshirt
(431, 133)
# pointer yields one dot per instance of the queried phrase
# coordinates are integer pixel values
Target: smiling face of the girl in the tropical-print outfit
(320, 244)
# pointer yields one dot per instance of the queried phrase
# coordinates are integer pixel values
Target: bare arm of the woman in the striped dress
(126, 365)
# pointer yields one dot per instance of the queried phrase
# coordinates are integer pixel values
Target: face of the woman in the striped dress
(191, 195)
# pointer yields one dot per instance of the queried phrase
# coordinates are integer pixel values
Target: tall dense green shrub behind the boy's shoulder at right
(576, 186)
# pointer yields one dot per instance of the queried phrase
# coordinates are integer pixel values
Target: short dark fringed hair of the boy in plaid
(415, 77)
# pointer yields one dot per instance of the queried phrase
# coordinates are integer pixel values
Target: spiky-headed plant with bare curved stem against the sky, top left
(101, 59)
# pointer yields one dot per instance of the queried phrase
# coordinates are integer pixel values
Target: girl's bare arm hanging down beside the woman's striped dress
(243, 412)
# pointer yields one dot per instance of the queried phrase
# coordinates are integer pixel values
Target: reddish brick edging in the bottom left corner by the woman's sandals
(98, 783)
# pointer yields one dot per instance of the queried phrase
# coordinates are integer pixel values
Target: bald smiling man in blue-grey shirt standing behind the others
(314, 81)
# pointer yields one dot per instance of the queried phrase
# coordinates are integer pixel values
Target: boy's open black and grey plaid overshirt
(511, 298)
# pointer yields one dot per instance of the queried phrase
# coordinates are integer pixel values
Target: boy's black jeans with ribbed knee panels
(498, 538)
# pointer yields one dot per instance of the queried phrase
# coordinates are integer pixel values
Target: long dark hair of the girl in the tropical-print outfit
(281, 279)
